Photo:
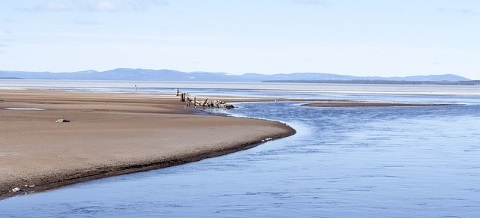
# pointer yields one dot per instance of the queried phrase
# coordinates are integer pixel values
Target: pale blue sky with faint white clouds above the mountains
(350, 37)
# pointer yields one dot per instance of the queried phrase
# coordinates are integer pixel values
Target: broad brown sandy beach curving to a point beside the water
(109, 134)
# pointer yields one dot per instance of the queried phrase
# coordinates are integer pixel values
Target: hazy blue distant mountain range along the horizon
(173, 75)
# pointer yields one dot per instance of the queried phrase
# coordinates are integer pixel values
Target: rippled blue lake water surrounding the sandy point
(343, 162)
